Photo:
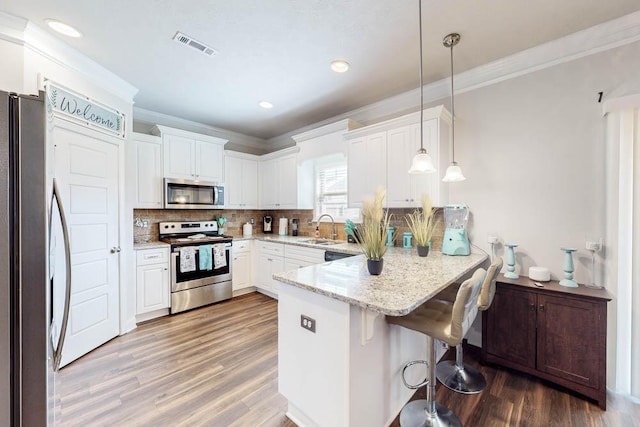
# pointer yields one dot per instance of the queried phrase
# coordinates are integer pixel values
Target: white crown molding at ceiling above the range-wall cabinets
(142, 115)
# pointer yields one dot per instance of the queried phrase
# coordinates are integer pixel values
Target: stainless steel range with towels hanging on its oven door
(197, 281)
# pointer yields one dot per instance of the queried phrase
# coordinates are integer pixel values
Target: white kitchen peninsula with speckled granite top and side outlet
(339, 362)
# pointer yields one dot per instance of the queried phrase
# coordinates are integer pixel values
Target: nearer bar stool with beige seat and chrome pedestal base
(446, 322)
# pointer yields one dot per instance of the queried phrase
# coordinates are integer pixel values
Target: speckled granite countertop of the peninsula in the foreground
(406, 282)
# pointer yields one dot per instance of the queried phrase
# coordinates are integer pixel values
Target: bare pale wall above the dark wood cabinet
(533, 151)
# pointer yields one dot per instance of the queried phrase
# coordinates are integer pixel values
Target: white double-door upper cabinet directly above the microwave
(189, 155)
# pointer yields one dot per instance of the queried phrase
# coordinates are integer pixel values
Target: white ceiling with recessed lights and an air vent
(280, 50)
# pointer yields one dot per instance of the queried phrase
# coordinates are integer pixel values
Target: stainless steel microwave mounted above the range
(187, 194)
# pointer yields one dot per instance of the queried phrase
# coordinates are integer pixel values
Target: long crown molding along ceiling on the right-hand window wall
(599, 38)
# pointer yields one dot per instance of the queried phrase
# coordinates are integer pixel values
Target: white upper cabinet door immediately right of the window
(366, 167)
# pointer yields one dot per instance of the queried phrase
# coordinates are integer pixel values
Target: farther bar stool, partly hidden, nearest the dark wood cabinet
(457, 375)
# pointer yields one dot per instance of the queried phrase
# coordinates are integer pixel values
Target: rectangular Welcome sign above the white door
(83, 110)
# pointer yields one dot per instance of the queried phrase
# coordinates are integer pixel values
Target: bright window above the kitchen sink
(331, 190)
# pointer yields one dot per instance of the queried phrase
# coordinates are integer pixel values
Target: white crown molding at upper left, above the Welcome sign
(24, 33)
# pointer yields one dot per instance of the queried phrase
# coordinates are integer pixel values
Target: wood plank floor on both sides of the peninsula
(217, 366)
